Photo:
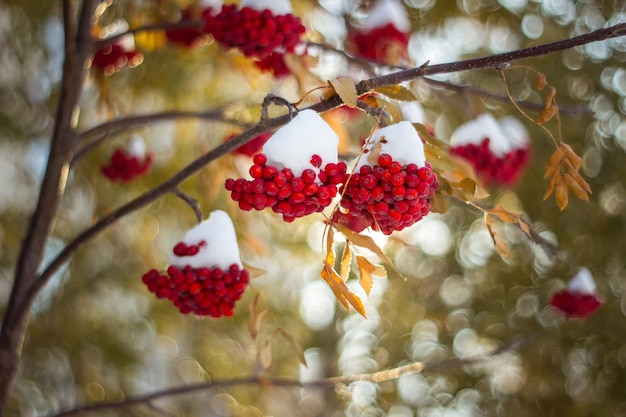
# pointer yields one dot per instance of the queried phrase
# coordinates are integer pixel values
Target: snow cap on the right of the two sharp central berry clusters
(401, 142)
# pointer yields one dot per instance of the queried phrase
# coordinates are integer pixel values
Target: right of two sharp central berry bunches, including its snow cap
(392, 185)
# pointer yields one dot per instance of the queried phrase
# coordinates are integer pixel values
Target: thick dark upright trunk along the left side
(77, 46)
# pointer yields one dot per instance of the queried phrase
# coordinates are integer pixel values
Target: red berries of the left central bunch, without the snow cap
(287, 194)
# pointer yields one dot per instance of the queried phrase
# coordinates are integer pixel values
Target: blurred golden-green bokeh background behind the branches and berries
(96, 334)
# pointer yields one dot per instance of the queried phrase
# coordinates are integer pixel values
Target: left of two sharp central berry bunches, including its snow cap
(298, 173)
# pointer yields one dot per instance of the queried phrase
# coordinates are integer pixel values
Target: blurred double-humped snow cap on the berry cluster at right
(505, 136)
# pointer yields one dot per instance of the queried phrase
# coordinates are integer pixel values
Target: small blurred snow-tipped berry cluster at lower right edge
(579, 299)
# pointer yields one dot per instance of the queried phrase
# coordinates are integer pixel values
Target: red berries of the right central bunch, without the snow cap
(389, 196)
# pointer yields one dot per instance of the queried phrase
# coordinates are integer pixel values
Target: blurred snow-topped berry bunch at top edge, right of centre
(384, 35)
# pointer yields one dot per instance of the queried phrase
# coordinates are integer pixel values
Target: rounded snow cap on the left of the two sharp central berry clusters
(294, 144)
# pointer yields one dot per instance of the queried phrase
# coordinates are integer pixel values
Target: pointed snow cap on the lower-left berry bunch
(221, 247)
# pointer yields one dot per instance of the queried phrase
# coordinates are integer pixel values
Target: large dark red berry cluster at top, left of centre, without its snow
(256, 33)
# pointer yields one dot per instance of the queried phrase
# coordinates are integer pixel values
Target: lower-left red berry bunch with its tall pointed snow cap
(206, 276)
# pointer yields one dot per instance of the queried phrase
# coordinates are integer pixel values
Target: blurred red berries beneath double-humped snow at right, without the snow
(504, 170)
